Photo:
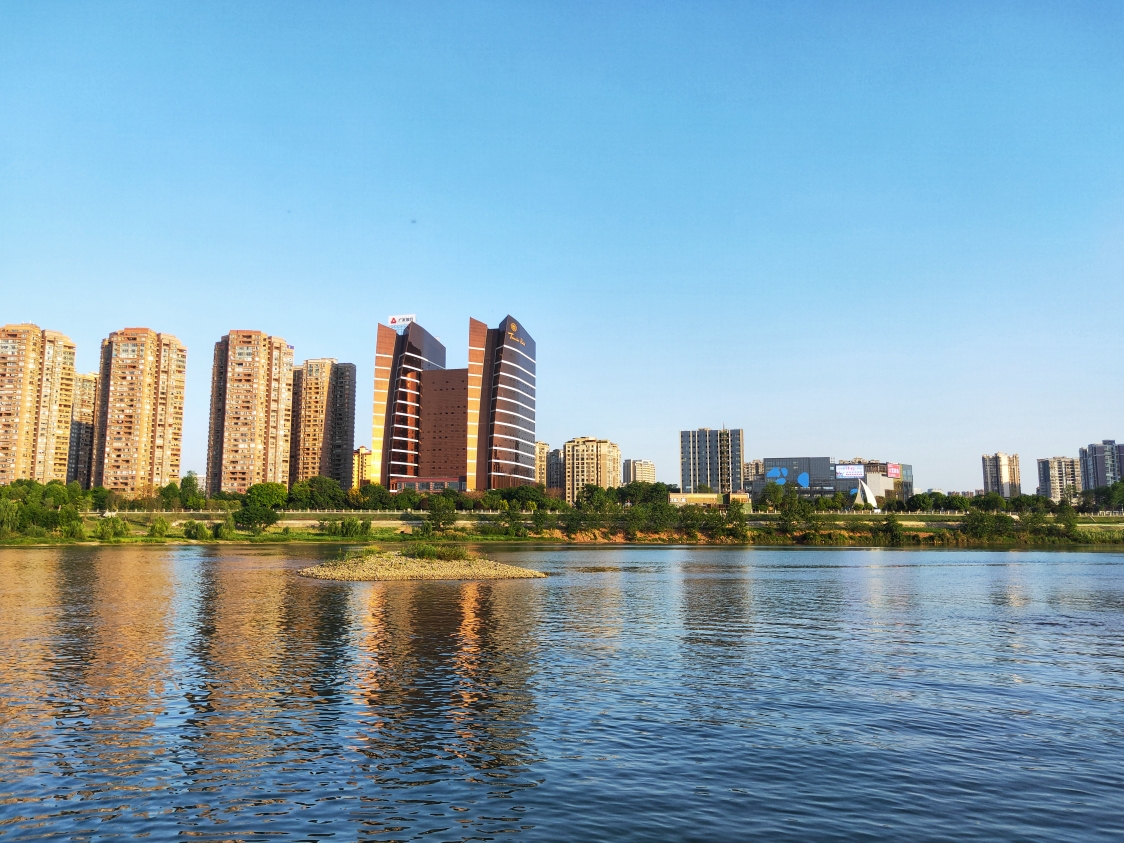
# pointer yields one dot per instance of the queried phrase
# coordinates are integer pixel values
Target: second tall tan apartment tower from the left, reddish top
(139, 424)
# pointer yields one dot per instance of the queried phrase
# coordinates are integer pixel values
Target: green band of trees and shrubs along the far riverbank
(320, 511)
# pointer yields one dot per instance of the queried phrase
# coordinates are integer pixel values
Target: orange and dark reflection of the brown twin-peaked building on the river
(447, 670)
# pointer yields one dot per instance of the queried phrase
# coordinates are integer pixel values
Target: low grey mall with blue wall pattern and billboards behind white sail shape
(818, 477)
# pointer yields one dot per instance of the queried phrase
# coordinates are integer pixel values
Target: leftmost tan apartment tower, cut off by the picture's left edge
(37, 398)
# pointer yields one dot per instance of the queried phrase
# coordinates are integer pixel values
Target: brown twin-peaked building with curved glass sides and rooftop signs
(472, 429)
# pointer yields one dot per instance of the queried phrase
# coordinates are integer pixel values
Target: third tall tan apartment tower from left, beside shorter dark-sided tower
(251, 415)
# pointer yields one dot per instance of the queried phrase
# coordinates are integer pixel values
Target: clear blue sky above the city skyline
(891, 230)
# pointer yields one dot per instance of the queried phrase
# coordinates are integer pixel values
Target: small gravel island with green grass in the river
(422, 563)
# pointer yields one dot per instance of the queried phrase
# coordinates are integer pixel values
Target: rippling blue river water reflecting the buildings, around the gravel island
(639, 694)
